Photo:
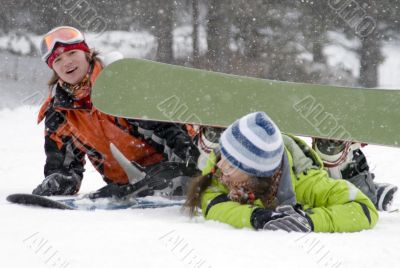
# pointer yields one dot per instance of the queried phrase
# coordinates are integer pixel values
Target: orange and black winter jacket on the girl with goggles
(76, 128)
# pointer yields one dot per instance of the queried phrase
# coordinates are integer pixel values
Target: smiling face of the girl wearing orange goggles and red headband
(71, 66)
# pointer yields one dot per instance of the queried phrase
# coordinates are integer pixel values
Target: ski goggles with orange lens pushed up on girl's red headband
(64, 34)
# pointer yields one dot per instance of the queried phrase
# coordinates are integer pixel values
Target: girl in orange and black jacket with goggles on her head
(74, 128)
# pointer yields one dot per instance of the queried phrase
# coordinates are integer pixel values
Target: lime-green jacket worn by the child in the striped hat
(332, 205)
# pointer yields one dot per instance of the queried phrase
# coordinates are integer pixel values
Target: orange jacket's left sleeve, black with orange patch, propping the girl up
(62, 156)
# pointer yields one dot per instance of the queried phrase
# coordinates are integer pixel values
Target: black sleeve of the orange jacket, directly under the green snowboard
(168, 138)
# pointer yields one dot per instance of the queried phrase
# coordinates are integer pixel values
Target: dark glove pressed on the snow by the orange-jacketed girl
(59, 184)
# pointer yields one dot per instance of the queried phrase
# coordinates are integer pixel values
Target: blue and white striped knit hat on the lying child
(253, 144)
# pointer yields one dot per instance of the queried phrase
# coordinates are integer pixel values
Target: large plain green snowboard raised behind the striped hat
(143, 89)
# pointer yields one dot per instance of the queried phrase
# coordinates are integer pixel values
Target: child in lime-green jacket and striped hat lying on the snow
(261, 179)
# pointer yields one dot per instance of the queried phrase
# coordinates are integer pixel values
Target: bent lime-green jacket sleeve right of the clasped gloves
(334, 205)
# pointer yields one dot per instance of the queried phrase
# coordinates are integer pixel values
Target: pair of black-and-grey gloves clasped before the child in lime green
(285, 218)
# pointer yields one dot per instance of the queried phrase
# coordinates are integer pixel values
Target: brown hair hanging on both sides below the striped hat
(265, 189)
